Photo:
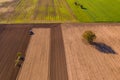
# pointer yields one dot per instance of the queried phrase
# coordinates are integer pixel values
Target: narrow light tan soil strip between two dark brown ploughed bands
(36, 62)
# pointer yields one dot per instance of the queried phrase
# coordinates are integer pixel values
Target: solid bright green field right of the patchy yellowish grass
(96, 10)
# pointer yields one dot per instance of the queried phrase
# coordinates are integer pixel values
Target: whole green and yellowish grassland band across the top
(47, 11)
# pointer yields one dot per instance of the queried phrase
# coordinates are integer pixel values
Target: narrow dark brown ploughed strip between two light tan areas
(58, 67)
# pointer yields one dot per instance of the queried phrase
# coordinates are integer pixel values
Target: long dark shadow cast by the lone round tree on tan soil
(102, 47)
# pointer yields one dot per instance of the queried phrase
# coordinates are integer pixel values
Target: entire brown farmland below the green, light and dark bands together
(57, 52)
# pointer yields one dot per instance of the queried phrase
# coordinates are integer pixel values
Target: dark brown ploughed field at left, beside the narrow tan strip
(12, 40)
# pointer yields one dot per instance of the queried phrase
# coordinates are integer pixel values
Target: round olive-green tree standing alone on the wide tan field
(89, 36)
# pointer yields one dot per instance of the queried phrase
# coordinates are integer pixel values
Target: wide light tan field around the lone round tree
(85, 62)
